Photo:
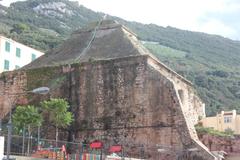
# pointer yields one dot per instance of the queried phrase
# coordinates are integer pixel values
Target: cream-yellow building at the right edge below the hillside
(223, 121)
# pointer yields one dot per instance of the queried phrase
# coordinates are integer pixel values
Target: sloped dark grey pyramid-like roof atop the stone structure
(102, 40)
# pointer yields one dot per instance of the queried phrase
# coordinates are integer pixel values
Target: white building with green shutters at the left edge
(14, 55)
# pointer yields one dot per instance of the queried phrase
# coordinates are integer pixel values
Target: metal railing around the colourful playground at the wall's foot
(47, 149)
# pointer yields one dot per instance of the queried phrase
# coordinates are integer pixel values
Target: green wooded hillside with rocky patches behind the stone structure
(211, 62)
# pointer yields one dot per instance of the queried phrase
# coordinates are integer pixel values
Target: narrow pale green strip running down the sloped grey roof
(92, 39)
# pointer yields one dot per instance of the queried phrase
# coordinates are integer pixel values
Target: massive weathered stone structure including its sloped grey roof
(119, 93)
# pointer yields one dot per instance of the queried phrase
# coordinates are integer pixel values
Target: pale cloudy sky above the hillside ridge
(220, 17)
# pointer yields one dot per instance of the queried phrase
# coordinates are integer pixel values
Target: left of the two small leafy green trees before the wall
(27, 117)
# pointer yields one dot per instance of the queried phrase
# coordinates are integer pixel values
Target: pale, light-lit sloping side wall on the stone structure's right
(188, 104)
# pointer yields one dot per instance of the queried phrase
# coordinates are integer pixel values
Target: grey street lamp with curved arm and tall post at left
(40, 90)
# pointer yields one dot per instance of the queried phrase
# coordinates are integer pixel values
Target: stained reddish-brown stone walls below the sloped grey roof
(127, 101)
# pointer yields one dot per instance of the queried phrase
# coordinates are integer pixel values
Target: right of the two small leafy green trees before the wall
(58, 114)
